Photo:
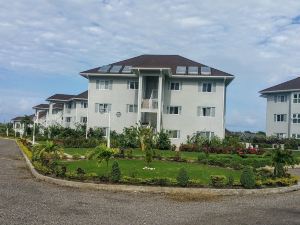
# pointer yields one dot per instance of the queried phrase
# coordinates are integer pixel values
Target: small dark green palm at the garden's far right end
(280, 159)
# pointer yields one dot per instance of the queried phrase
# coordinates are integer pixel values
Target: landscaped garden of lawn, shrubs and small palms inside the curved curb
(140, 157)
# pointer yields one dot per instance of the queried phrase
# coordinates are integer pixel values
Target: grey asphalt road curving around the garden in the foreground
(24, 200)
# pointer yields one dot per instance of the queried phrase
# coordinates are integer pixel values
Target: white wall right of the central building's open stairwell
(189, 98)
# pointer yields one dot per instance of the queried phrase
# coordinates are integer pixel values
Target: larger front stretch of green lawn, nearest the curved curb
(163, 169)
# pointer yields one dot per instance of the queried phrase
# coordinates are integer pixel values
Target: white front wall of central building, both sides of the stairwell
(189, 98)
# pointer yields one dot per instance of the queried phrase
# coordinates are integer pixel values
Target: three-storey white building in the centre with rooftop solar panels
(168, 92)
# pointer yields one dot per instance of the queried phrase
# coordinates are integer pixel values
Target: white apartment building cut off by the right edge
(283, 109)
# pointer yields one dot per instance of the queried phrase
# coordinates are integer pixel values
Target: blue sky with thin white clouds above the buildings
(45, 44)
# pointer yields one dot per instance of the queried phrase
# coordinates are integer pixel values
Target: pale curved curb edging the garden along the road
(157, 189)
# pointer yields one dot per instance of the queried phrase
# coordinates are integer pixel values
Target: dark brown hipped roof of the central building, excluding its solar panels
(160, 61)
